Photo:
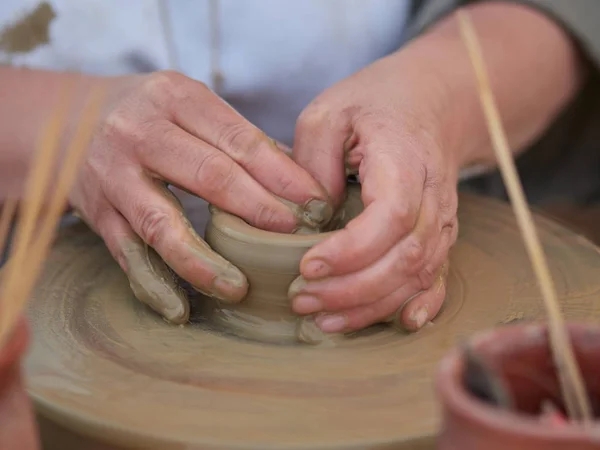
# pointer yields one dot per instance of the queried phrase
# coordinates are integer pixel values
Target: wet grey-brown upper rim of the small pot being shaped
(236, 228)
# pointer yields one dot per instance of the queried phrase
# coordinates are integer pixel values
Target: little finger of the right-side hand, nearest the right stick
(425, 306)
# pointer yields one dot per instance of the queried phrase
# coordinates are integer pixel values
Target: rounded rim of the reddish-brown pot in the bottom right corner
(452, 396)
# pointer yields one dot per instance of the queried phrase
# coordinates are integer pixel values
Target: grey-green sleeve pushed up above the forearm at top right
(580, 18)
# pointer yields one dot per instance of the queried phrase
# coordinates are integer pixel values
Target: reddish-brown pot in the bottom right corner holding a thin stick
(520, 359)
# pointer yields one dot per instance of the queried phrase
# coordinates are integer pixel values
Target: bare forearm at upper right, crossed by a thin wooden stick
(534, 69)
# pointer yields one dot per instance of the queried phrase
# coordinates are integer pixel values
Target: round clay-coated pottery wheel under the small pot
(106, 366)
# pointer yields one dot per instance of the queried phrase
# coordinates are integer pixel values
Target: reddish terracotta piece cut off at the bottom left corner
(17, 424)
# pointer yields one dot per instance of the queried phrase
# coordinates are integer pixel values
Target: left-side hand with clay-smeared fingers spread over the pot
(166, 128)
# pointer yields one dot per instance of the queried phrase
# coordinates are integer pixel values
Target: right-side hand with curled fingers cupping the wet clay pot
(387, 122)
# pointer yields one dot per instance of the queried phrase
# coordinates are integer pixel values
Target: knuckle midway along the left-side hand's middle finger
(215, 175)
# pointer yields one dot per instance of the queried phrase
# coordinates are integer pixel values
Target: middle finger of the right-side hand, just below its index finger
(384, 276)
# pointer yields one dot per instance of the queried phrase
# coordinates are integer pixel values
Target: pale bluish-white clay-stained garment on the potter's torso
(275, 55)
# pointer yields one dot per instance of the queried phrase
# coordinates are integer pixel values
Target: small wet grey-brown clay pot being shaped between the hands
(271, 263)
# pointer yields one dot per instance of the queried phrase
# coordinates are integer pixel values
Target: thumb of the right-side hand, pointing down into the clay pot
(319, 147)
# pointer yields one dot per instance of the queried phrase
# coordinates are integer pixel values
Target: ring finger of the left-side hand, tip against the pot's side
(155, 217)
